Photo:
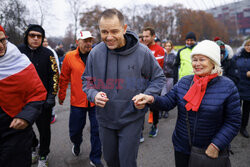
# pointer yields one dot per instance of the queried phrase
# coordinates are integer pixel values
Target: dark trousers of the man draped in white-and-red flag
(15, 145)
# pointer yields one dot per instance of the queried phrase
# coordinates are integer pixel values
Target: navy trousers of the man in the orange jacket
(77, 121)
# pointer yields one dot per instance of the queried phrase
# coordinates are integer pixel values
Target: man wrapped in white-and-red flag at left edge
(22, 95)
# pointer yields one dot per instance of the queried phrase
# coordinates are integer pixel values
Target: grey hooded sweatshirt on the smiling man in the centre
(121, 75)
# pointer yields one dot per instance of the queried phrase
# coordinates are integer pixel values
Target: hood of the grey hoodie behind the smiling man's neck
(132, 45)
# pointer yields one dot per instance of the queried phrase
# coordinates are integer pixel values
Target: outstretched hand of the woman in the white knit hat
(141, 100)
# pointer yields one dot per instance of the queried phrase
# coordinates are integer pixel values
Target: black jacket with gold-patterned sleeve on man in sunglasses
(45, 64)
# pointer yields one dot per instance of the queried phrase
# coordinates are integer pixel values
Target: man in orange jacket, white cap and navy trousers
(72, 70)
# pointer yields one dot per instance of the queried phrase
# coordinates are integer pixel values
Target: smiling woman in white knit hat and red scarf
(209, 100)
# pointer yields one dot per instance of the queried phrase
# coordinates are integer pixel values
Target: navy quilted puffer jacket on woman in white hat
(217, 120)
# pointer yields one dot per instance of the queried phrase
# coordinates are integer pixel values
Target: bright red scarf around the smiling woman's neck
(197, 91)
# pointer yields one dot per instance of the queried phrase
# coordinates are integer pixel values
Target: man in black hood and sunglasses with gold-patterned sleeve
(45, 64)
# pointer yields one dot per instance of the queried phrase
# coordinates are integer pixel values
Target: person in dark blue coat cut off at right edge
(243, 63)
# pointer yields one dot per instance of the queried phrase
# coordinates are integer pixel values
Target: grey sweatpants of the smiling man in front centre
(120, 146)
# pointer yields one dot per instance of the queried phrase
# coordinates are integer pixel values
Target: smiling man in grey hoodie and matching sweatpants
(118, 69)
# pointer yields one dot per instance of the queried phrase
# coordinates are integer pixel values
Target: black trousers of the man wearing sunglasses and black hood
(43, 126)
